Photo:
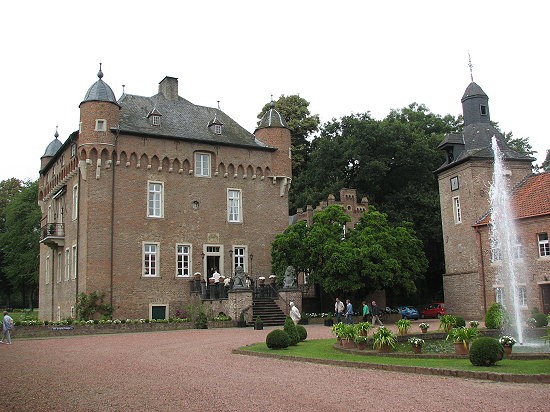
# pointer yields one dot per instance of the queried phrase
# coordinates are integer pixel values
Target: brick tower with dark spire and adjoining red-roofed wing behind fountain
(470, 281)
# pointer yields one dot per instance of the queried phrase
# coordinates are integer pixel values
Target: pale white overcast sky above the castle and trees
(343, 57)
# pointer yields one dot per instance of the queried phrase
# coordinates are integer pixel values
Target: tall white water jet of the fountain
(504, 235)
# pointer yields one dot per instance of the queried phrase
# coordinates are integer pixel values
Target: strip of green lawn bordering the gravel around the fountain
(323, 349)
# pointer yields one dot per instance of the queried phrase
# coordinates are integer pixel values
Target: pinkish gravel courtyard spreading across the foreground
(194, 370)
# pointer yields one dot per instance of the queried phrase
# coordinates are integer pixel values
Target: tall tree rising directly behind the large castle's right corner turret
(302, 125)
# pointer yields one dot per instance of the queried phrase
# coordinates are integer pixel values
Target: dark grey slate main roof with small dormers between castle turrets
(182, 120)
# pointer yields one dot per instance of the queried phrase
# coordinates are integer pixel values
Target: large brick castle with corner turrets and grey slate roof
(151, 190)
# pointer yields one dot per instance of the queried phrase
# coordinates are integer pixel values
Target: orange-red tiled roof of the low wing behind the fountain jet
(530, 198)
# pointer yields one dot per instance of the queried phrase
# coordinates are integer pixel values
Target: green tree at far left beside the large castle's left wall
(20, 241)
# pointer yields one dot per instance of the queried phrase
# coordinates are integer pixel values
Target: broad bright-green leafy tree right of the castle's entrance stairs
(374, 255)
